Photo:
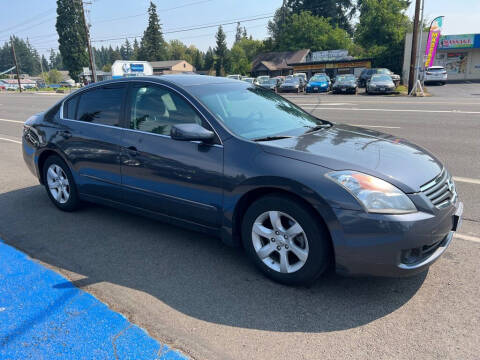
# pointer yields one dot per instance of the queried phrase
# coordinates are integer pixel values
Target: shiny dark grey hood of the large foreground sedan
(344, 147)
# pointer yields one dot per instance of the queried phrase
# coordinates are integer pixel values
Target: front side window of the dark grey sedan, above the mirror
(155, 109)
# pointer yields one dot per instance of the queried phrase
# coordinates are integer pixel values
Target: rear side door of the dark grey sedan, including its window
(90, 138)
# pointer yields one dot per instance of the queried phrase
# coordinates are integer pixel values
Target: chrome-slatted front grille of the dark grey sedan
(441, 190)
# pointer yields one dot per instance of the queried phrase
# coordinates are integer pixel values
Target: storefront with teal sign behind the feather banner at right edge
(459, 54)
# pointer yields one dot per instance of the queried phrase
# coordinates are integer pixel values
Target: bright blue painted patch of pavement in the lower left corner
(44, 316)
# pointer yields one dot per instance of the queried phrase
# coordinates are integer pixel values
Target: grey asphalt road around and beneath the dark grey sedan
(197, 295)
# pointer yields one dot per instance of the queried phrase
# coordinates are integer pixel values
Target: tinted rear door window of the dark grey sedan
(101, 105)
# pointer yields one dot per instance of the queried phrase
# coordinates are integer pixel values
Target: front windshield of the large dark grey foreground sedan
(254, 112)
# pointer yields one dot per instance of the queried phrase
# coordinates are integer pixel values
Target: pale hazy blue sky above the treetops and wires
(113, 19)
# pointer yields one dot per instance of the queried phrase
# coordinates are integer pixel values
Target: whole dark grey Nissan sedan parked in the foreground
(237, 161)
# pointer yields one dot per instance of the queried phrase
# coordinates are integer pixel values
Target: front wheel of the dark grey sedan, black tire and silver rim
(311, 241)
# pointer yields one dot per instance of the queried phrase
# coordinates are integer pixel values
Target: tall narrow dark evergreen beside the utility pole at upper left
(72, 37)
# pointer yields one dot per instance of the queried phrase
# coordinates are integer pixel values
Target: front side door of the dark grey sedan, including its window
(182, 179)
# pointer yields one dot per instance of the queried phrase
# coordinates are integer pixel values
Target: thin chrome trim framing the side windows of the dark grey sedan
(141, 131)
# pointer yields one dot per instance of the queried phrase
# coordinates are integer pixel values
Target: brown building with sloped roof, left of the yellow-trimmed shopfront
(277, 63)
